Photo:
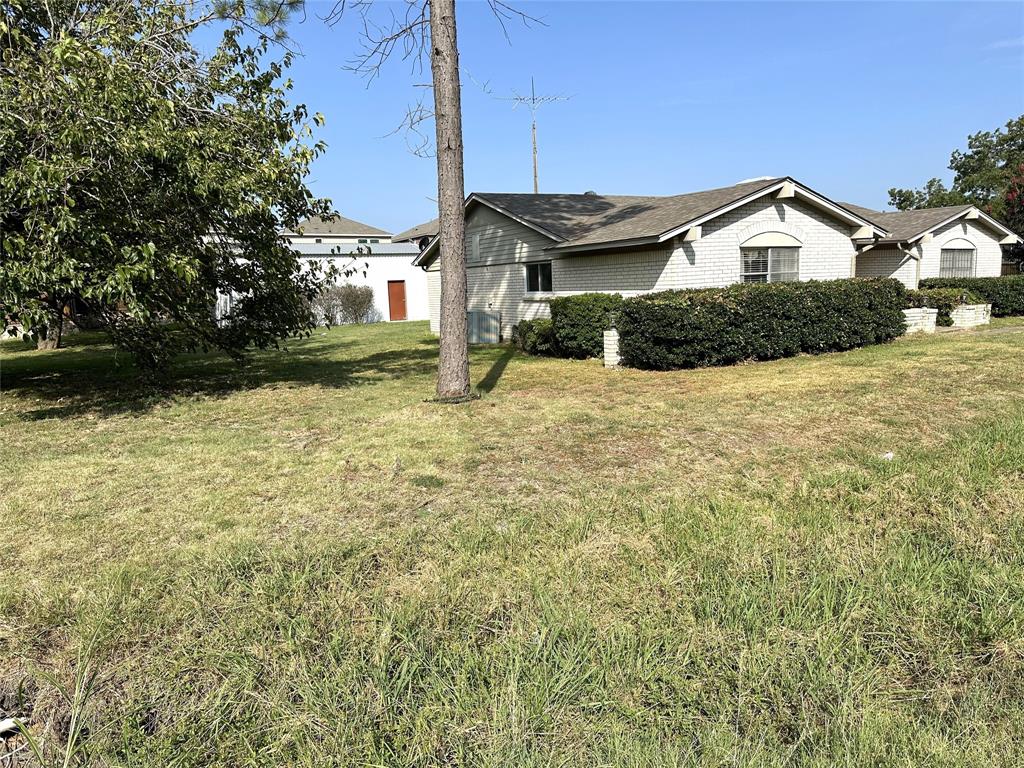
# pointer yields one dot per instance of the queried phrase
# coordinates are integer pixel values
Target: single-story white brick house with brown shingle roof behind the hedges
(523, 250)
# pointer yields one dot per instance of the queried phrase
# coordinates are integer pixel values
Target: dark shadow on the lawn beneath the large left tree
(96, 380)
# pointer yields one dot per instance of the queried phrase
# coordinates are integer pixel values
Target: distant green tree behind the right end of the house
(982, 176)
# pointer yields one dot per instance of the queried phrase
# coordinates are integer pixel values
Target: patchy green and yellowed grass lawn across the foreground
(304, 563)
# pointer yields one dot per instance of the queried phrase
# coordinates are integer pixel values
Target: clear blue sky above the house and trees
(669, 98)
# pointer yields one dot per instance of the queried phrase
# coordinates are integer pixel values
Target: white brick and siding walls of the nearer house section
(498, 248)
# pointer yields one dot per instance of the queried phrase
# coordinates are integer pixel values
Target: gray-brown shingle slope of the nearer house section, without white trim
(589, 220)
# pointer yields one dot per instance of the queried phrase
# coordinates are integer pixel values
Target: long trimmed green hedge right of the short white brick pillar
(758, 322)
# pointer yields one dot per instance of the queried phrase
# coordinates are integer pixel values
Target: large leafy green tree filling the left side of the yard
(142, 179)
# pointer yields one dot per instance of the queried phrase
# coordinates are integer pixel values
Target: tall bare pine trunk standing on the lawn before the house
(453, 368)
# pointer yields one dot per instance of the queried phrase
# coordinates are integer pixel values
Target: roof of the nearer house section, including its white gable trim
(585, 223)
